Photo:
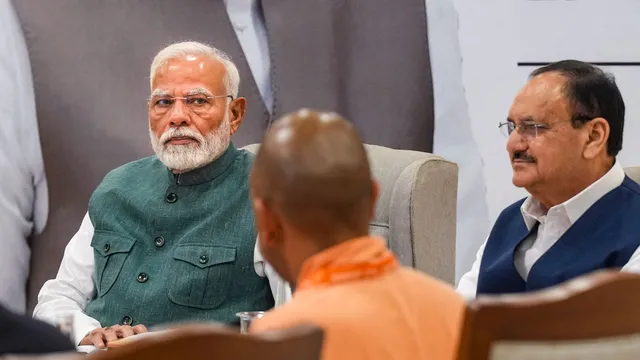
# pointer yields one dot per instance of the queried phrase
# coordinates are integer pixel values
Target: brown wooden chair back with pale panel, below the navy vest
(592, 317)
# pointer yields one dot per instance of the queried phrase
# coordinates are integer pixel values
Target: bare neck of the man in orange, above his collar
(310, 245)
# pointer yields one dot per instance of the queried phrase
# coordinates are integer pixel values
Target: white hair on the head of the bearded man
(232, 77)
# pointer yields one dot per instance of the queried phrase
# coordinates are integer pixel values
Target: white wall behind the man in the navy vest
(497, 34)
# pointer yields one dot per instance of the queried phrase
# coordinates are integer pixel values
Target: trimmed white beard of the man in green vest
(183, 158)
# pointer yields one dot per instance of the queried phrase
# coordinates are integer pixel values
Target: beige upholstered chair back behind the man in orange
(416, 211)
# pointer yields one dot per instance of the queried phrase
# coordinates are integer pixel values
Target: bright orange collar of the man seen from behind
(356, 259)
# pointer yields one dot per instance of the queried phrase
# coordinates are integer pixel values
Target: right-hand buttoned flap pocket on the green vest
(200, 275)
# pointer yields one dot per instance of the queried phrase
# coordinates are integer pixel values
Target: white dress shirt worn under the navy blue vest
(552, 225)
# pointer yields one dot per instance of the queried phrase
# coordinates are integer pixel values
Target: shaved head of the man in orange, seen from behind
(312, 167)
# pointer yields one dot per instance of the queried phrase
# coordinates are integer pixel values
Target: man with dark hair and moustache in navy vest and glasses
(564, 130)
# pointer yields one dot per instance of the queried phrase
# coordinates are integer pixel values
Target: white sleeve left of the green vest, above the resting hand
(73, 288)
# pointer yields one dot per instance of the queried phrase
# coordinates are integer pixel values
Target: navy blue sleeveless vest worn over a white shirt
(605, 236)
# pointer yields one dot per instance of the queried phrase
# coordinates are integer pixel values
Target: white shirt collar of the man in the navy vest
(533, 212)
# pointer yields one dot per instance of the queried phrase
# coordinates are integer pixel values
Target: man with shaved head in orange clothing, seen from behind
(313, 197)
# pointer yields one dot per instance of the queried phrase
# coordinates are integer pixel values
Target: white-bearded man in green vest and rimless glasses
(171, 237)
